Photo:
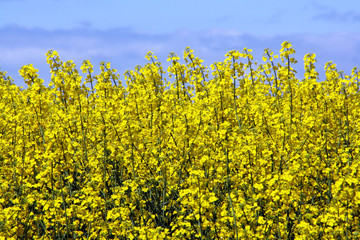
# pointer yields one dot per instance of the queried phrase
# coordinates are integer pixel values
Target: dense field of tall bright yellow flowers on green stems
(247, 151)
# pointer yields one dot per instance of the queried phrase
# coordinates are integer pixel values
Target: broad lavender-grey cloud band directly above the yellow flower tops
(125, 48)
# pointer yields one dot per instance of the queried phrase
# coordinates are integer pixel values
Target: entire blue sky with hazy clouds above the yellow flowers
(122, 32)
